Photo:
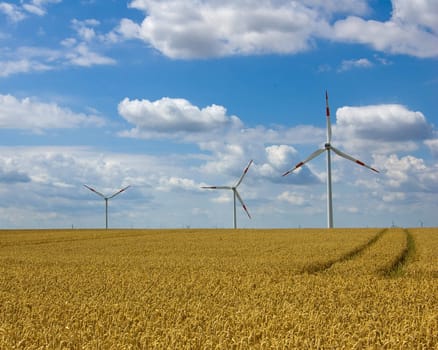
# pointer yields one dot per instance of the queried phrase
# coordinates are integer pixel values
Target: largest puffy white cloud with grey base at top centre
(190, 29)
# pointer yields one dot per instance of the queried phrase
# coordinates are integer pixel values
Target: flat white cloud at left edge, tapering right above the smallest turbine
(31, 114)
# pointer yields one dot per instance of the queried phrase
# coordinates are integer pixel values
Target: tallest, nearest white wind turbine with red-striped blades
(327, 148)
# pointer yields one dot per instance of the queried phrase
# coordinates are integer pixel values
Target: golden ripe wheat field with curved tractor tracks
(219, 289)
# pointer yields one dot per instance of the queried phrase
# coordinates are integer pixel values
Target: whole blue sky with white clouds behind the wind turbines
(169, 96)
